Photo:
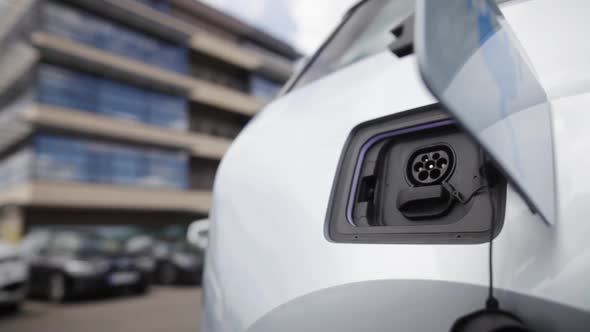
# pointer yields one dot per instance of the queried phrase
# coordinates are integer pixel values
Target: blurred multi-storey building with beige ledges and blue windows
(119, 111)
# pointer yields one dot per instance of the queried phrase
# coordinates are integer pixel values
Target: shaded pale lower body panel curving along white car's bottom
(371, 306)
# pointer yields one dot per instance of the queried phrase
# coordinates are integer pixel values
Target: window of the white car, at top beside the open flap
(365, 31)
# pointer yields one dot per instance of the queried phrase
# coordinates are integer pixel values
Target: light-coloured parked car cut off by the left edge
(13, 278)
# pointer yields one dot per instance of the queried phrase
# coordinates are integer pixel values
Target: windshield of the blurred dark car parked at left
(80, 242)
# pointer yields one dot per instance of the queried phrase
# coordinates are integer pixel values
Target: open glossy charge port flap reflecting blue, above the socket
(468, 46)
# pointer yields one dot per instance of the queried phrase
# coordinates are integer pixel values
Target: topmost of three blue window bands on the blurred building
(99, 33)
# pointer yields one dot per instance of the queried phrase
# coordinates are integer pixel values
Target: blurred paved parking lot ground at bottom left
(175, 309)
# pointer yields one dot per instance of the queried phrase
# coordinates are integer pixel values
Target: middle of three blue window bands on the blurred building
(81, 92)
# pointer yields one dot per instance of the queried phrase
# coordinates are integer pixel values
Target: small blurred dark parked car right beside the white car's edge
(178, 263)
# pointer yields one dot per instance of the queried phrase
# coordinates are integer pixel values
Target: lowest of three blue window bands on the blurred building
(64, 159)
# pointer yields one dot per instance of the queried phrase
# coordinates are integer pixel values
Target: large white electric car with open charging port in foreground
(428, 170)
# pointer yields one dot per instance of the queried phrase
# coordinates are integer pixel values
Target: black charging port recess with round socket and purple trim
(414, 178)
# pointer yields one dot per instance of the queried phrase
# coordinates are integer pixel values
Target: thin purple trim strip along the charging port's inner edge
(372, 142)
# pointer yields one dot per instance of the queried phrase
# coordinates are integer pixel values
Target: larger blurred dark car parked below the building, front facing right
(69, 263)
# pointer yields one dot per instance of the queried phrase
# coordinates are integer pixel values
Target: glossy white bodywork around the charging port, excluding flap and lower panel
(267, 245)
